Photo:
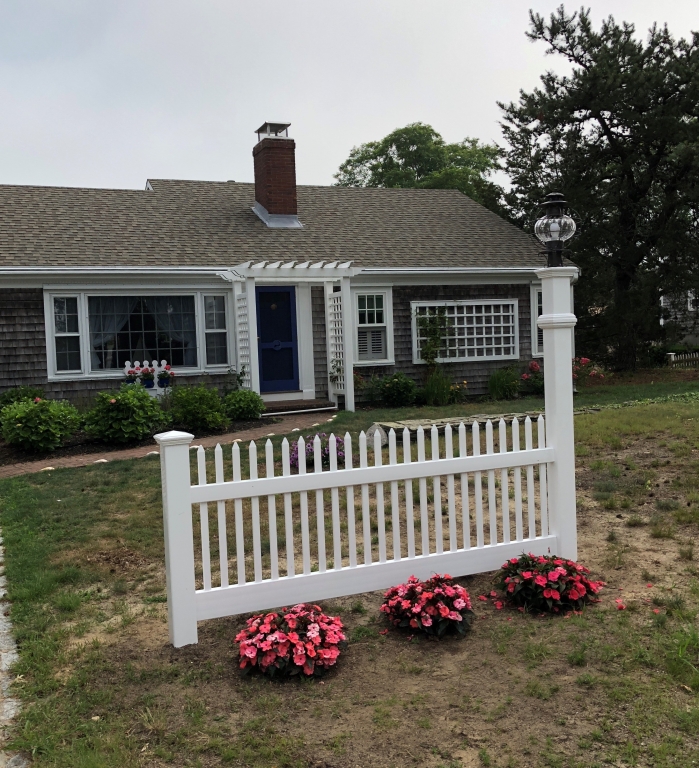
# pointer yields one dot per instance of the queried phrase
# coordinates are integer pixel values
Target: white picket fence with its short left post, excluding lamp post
(295, 535)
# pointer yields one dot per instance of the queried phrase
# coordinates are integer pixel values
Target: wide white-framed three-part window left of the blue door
(96, 334)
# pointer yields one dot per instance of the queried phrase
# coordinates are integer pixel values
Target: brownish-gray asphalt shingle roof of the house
(201, 224)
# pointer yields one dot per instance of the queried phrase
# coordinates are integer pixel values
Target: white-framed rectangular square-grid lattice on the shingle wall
(466, 330)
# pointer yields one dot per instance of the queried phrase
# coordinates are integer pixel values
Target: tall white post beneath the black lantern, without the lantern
(556, 322)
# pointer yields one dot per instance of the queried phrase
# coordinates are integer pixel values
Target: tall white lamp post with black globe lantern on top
(557, 321)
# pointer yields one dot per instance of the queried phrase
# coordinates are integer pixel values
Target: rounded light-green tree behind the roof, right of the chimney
(417, 156)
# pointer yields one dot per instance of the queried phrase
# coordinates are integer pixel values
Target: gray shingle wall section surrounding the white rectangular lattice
(476, 372)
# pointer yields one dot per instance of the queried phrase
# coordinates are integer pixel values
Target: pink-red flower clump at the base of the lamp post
(547, 583)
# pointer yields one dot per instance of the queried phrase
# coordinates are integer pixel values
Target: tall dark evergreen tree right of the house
(619, 136)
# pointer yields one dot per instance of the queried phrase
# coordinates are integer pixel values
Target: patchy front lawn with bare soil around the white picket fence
(101, 687)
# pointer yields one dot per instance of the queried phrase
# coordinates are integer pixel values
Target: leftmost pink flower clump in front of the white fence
(302, 639)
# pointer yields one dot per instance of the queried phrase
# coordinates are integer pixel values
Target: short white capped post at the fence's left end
(179, 536)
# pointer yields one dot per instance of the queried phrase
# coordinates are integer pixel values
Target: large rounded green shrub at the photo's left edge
(38, 425)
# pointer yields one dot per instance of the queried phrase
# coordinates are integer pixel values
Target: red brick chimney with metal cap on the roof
(275, 176)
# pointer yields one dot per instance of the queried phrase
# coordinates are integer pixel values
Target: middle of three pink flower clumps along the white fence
(434, 606)
